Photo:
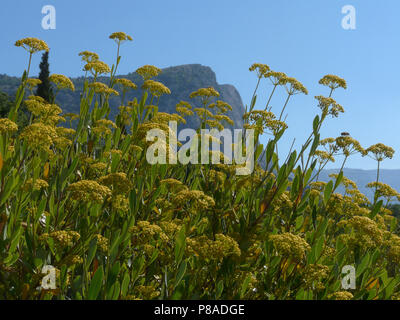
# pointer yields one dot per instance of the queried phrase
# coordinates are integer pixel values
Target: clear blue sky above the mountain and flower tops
(304, 39)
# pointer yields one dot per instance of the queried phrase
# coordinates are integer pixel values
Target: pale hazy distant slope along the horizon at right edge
(363, 177)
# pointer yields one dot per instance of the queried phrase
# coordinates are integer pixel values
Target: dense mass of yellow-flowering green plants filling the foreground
(77, 193)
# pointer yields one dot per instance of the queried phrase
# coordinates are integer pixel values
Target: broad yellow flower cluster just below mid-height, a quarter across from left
(88, 190)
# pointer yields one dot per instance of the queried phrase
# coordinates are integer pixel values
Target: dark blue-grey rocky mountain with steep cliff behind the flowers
(181, 80)
